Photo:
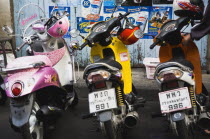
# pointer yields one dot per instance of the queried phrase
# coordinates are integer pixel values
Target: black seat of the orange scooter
(174, 63)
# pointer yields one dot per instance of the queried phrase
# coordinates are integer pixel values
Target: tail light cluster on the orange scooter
(175, 72)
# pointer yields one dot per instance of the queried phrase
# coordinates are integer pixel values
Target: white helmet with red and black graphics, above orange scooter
(190, 8)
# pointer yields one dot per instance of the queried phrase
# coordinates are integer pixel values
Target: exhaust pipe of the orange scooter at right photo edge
(204, 121)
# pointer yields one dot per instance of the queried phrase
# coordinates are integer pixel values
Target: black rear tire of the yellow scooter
(112, 132)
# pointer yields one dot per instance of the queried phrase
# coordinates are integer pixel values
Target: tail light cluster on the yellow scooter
(98, 76)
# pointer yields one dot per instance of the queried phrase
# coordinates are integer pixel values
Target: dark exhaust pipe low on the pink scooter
(48, 113)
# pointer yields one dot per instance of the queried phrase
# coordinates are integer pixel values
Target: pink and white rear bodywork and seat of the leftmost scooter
(34, 79)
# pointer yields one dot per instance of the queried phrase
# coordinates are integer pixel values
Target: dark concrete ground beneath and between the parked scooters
(72, 126)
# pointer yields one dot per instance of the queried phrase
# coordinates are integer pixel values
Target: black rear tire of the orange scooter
(184, 131)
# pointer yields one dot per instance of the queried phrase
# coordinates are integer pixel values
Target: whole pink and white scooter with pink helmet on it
(41, 86)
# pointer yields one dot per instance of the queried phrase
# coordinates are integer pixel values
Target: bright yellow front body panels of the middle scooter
(121, 55)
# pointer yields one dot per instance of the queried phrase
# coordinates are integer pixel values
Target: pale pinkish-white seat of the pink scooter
(28, 60)
